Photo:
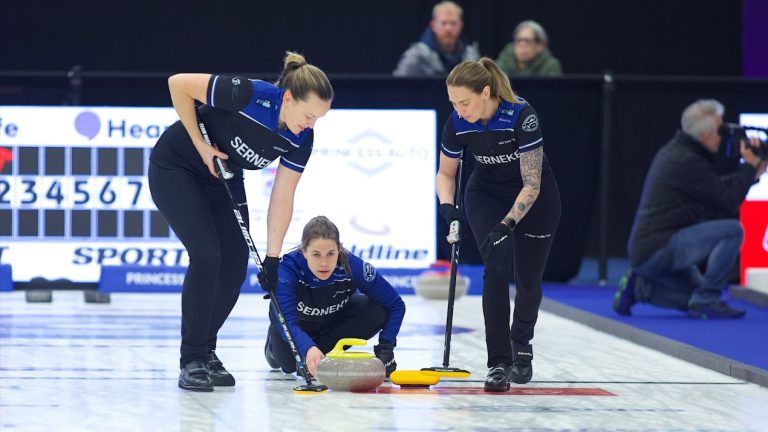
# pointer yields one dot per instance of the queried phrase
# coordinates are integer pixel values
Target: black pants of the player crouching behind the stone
(361, 319)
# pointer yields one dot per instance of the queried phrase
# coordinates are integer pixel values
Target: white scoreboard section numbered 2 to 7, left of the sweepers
(74, 193)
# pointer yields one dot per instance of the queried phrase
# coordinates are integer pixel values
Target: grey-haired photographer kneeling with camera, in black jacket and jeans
(686, 216)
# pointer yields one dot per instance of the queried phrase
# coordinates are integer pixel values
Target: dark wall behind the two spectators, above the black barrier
(690, 37)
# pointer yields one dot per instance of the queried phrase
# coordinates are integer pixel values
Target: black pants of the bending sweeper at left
(200, 213)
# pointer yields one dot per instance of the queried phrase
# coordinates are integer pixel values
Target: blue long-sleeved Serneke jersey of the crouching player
(304, 297)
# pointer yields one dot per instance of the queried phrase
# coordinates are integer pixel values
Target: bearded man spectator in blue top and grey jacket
(441, 46)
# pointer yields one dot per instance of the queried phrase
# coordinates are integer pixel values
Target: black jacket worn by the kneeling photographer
(683, 188)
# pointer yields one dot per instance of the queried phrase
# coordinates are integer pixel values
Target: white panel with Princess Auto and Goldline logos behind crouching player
(372, 172)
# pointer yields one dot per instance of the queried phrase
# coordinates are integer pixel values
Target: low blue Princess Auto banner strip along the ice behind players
(132, 278)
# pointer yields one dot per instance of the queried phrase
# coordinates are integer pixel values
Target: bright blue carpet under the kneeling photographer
(744, 340)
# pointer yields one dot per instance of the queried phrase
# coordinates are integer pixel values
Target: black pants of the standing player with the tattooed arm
(532, 239)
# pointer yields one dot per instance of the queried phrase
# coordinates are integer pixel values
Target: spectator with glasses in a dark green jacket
(527, 54)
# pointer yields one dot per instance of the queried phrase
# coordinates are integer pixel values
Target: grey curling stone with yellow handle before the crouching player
(350, 370)
